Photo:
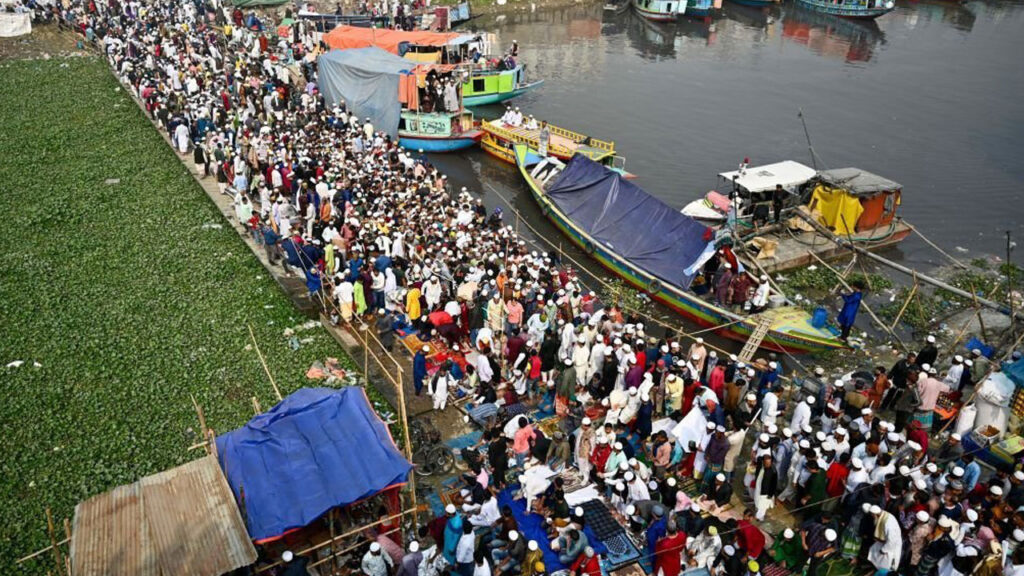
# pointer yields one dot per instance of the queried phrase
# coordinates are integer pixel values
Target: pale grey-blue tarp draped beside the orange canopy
(368, 80)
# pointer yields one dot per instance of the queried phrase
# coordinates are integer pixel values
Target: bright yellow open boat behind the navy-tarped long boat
(499, 139)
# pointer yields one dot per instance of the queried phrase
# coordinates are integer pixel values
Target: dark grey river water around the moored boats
(930, 96)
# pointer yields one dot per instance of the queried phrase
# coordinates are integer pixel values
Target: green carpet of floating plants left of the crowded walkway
(122, 296)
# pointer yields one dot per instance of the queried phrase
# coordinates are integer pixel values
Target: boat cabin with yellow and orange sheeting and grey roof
(852, 200)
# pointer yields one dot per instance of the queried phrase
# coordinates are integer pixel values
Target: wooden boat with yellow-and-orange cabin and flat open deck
(849, 203)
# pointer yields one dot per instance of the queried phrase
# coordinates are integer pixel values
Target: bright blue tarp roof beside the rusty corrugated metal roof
(318, 449)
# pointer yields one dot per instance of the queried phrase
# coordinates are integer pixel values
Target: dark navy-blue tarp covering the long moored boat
(638, 227)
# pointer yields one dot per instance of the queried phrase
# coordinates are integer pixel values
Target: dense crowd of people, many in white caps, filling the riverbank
(380, 237)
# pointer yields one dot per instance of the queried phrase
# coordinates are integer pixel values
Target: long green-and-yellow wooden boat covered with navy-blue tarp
(660, 246)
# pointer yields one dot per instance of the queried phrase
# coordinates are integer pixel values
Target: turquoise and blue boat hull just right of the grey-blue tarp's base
(438, 132)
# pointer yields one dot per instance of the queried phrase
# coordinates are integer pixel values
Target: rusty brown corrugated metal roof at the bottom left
(182, 521)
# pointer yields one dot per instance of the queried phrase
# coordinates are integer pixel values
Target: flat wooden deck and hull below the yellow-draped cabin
(794, 250)
